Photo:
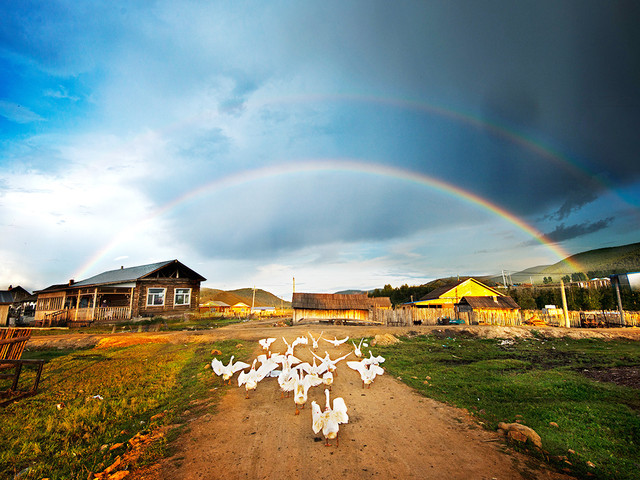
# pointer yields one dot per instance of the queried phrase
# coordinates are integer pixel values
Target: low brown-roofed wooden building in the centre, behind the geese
(337, 307)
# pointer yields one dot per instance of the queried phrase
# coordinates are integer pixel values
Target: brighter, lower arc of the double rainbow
(329, 165)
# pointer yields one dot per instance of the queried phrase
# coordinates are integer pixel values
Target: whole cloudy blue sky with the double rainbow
(346, 144)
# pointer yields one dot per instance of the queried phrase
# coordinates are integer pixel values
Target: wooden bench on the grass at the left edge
(12, 343)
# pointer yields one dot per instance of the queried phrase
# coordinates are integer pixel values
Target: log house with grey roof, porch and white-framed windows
(162, 288)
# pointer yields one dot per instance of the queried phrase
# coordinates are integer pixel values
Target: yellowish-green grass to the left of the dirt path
(61, 432)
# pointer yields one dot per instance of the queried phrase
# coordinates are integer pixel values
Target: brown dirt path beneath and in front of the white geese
(392, 433)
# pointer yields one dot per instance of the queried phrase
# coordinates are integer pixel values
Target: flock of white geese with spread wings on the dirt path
(297, 377)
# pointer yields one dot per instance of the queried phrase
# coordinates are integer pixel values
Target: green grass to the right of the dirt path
(535, 381)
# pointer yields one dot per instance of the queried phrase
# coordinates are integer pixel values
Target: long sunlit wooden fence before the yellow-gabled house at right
(432, 316)
